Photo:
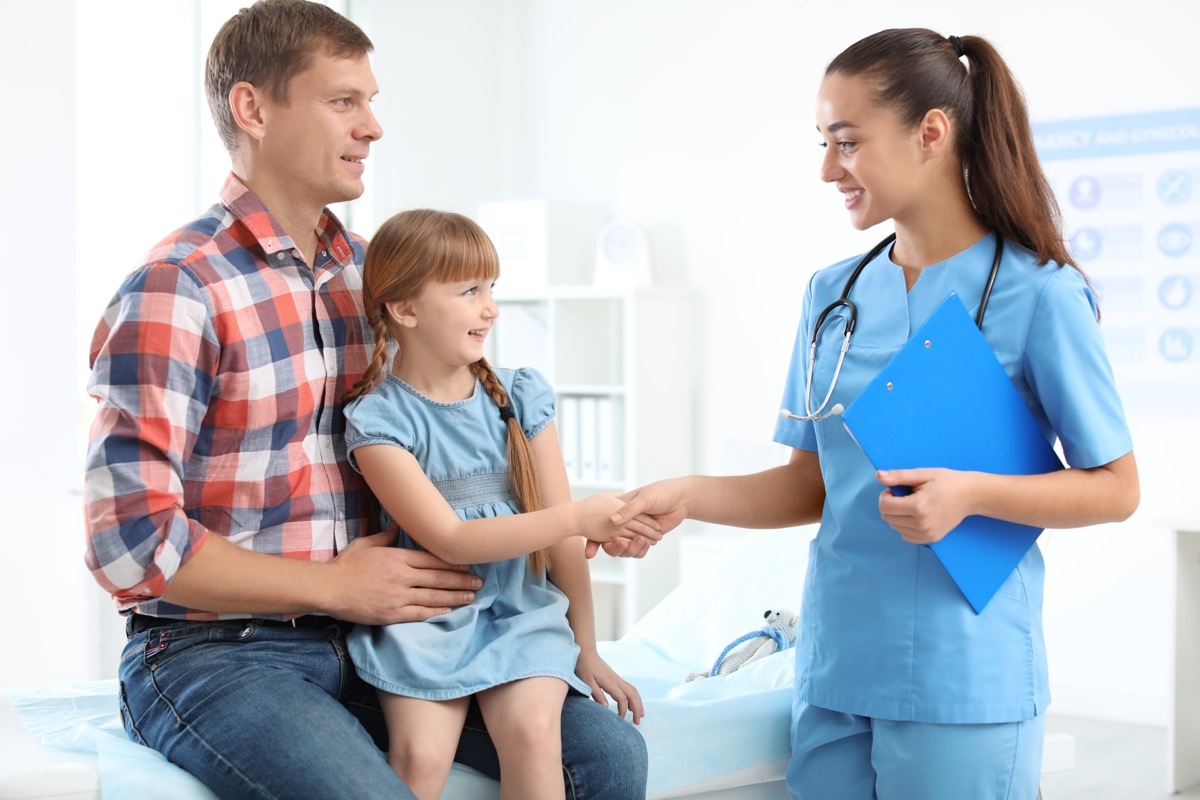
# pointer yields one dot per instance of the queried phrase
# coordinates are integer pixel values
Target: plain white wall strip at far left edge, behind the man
(39, 449)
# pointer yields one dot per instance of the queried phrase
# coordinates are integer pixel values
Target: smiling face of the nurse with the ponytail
(871, 157)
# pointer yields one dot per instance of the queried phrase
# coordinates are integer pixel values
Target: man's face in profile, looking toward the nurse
(315, 146)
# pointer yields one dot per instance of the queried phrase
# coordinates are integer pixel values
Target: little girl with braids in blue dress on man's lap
(454, 450)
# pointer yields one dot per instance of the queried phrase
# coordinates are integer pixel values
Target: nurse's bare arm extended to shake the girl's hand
(782, 497)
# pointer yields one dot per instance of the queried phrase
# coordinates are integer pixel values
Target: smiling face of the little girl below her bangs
(452, 321)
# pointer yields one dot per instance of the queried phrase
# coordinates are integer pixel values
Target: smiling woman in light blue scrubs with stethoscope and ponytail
(903, 691)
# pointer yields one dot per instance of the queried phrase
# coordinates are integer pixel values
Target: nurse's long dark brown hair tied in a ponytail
(915, 70)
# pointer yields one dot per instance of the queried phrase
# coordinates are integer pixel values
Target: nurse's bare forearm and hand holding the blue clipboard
(1067, 498)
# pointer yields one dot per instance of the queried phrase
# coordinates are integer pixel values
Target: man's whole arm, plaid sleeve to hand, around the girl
(155, 359)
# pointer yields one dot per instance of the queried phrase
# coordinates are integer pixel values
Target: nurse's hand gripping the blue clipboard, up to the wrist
(937, 504)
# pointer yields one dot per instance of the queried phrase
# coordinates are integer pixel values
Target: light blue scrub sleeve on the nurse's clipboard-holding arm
(1070, 374)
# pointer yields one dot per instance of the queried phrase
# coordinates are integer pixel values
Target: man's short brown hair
(269, 44)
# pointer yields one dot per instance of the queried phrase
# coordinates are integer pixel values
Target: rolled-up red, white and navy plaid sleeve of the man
(154, 360)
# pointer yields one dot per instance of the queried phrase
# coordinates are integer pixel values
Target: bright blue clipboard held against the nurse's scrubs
(946, 401)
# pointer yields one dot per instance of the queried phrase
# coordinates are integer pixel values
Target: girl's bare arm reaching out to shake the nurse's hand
(419, 509)
